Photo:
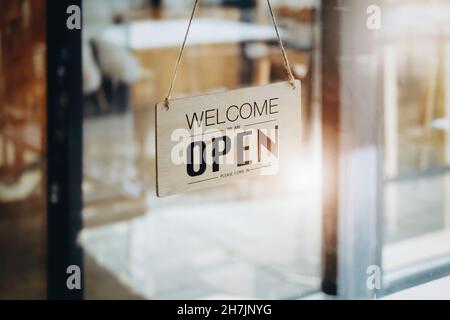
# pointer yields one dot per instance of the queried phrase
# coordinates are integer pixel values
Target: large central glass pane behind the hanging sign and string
(257, 238)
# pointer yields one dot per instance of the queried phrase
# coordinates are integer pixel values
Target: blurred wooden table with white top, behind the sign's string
(213, 49)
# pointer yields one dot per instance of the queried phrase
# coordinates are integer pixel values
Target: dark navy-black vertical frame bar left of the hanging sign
(64, 136)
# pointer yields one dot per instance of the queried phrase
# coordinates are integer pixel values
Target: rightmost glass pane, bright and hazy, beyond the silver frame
(417, 139)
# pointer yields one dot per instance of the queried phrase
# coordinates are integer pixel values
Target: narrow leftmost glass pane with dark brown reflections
(22, 150)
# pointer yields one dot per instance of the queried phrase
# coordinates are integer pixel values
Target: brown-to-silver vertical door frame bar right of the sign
(352, 149)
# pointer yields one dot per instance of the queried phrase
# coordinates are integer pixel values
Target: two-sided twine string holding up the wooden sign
(177, 65)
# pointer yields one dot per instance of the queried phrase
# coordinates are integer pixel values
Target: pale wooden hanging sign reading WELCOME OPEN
(217, 138)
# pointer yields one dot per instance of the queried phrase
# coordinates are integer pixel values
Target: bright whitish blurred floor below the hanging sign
(254, 249)
